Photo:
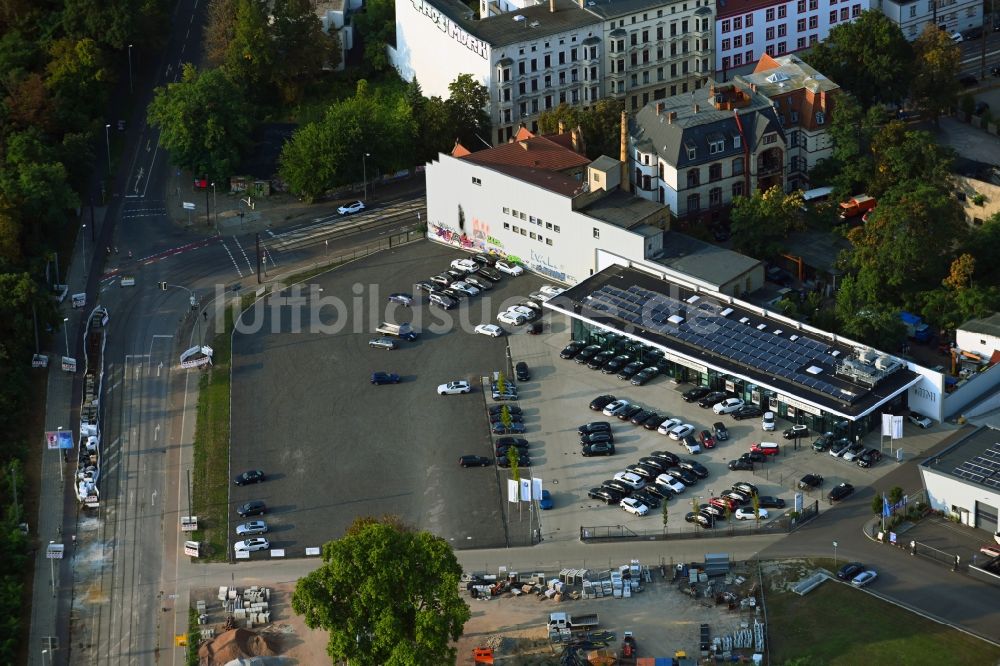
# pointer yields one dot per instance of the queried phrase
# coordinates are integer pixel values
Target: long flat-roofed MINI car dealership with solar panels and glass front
(708, 338)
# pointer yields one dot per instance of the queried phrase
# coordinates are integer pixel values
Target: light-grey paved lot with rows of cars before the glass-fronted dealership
(565, 390)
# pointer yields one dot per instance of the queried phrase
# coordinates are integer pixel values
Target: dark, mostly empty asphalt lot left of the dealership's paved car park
(333, 446)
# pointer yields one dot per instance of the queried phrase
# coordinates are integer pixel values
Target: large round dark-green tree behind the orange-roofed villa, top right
(868, 56)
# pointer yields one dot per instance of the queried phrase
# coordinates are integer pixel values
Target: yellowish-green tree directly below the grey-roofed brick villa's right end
(762, 221)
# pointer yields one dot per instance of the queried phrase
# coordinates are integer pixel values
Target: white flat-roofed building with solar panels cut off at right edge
(963, 480)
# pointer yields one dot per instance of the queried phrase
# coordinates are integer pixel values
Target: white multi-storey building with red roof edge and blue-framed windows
(747, 29)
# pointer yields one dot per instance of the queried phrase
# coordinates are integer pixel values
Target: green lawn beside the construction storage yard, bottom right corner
(837, 624)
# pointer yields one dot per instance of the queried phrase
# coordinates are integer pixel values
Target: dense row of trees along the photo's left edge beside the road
(59, 62)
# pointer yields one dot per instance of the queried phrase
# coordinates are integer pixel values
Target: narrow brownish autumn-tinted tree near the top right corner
(935, 81)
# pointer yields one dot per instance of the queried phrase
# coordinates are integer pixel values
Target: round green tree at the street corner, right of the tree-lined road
(204, 122)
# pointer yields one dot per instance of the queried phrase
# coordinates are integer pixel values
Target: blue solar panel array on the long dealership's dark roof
(703, 324)
